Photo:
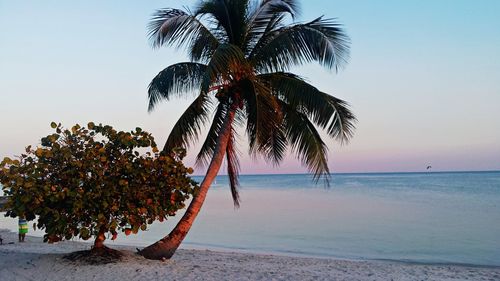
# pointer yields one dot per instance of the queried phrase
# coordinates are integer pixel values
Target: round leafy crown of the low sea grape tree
(95, 181)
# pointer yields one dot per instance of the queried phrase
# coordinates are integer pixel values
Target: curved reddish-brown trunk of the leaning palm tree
(166, 247)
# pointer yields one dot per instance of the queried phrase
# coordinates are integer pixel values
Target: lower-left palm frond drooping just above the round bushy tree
(186, 130)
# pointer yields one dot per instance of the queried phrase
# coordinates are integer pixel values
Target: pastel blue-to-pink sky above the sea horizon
(423, 80)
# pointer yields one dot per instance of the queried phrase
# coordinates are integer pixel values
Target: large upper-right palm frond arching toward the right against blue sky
(321, 40)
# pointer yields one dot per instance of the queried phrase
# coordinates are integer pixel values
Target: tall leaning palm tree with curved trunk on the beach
(241, 52)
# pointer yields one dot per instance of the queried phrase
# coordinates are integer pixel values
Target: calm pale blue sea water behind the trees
(418, 217)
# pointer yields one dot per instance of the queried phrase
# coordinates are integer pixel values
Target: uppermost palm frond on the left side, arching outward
(174, 26)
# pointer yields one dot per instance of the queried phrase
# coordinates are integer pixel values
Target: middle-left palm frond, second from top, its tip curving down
(176, 79)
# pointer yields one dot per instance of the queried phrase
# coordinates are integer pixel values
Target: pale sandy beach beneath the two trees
(34, 260)
